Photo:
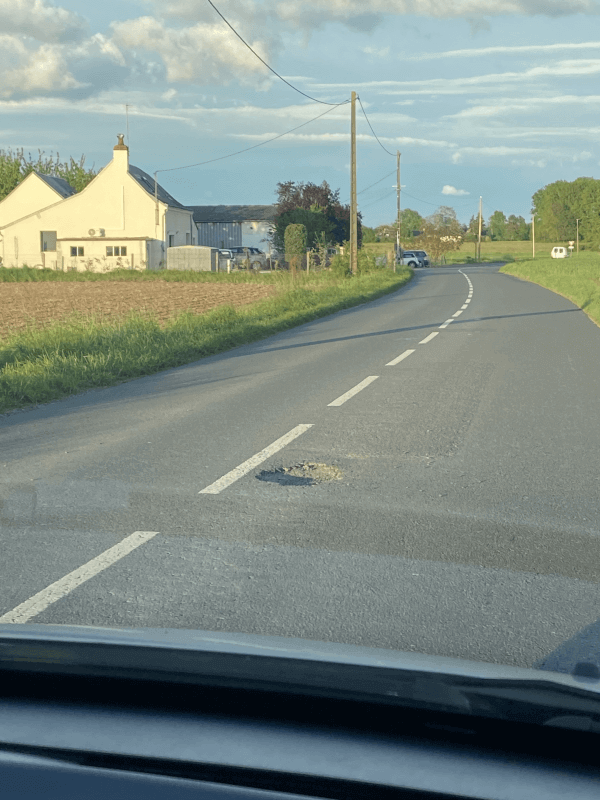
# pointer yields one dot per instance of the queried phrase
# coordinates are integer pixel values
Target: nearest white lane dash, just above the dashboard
(40, 601)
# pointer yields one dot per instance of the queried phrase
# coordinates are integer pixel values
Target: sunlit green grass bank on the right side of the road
(576, 278)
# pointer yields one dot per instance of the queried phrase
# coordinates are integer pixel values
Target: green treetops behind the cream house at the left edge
(14, 167)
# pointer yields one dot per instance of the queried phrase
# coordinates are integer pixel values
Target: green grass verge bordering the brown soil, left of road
(71, 356)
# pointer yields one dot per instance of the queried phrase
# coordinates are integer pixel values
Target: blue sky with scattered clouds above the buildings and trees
(482, 97)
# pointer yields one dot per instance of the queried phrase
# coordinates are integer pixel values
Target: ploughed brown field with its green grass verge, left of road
(63, 333)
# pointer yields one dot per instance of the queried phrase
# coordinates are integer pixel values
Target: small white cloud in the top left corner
(40, 21)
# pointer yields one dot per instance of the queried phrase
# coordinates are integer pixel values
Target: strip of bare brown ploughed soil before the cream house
(40, 304)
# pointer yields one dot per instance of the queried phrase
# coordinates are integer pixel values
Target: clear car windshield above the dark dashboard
(326, 441)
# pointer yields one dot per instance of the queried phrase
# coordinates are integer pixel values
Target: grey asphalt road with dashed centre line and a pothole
(465, 522)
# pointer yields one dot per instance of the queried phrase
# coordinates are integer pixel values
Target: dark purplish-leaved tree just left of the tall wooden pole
(330, 216)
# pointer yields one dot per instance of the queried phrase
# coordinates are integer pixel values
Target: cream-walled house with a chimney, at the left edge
(119, 219)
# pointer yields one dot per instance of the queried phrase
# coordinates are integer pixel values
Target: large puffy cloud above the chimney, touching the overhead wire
(197, 54)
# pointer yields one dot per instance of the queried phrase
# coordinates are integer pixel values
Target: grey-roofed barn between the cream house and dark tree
(234, 226)
